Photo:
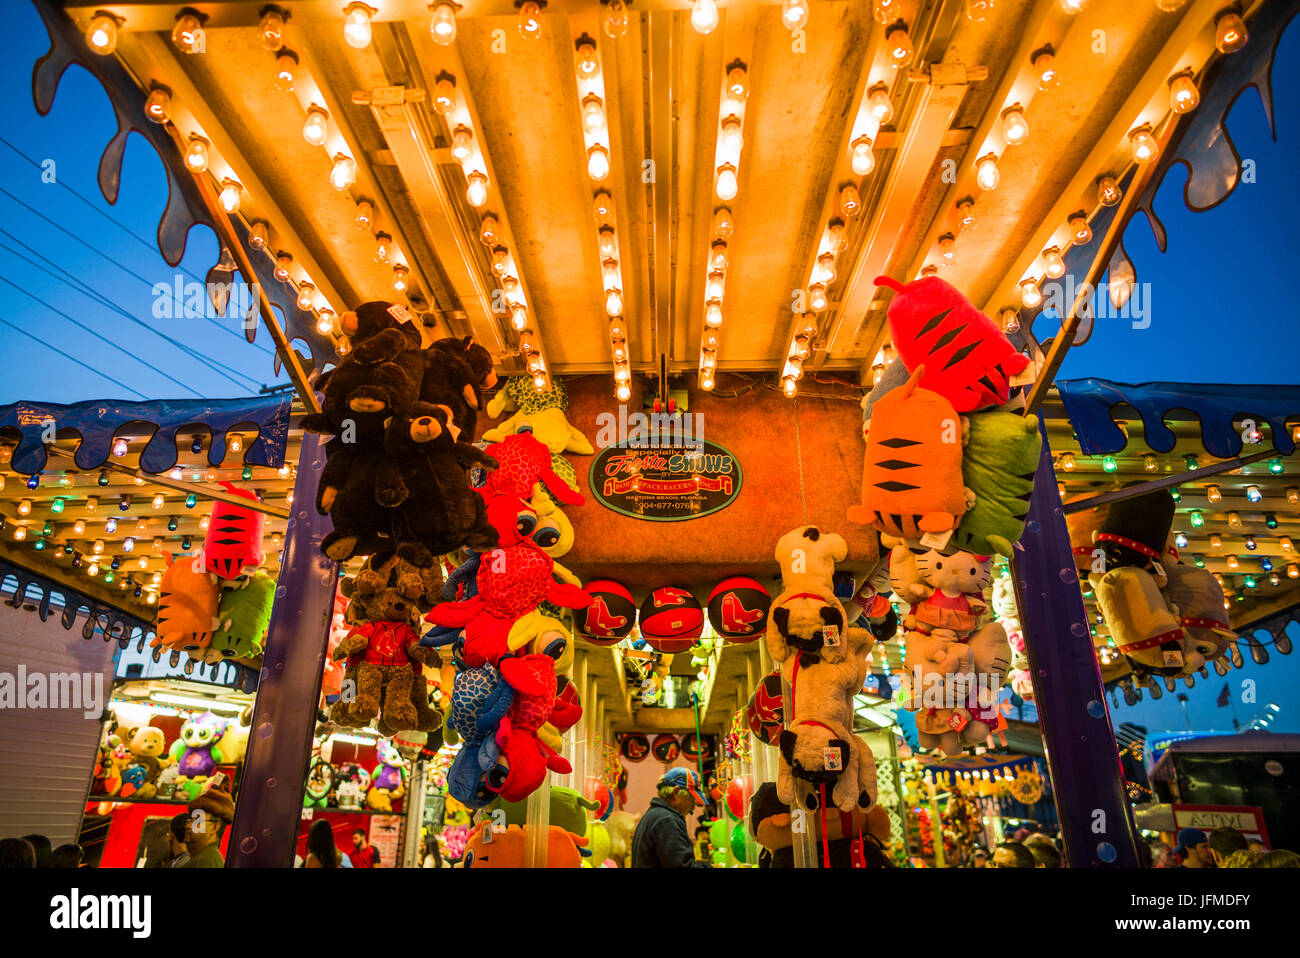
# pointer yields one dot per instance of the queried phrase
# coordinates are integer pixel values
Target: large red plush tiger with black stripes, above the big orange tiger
(968, 359)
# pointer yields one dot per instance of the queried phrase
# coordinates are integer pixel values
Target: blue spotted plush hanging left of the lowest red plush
(479, 703)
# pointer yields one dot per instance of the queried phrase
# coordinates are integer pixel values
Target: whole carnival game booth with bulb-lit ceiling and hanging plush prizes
(567, 495)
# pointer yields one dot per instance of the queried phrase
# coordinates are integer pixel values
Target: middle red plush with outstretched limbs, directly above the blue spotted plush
(513, 580)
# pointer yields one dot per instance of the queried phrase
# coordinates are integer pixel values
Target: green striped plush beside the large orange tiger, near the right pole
(998, 466)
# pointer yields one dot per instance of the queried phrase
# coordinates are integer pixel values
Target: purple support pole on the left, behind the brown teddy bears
(280, 743)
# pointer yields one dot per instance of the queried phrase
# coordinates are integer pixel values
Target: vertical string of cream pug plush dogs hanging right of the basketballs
(826, 665)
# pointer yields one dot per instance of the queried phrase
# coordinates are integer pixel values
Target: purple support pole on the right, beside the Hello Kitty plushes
(1087, 783)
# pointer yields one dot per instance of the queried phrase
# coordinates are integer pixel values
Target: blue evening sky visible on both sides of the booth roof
(77, 309)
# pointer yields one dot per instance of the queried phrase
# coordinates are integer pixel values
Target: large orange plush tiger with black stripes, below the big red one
(912, 478)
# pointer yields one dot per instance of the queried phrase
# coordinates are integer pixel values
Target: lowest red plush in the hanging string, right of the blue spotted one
(523, 755)
